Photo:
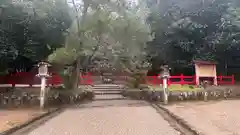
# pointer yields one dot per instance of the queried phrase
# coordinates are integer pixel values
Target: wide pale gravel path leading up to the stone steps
(116, 118)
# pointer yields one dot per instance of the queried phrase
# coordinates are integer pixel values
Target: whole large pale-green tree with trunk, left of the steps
(102, 29)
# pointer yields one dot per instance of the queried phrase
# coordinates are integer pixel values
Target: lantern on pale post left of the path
(43, 74)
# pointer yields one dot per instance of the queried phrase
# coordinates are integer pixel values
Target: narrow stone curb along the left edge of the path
(14, 129)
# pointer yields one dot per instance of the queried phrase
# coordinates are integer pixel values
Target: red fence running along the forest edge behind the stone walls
(29, 78)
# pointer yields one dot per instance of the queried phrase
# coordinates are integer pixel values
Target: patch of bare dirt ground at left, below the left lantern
(12, 118)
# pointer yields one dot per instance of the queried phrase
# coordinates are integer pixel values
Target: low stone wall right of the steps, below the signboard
(201, 95)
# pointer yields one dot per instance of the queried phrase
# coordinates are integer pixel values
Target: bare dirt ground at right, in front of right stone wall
(210, 118)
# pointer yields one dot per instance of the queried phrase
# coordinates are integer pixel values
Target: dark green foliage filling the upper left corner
(30, 29)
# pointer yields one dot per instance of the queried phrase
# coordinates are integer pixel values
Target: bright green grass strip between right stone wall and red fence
(176, 87)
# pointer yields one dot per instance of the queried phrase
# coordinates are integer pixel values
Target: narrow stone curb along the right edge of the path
(180, 120)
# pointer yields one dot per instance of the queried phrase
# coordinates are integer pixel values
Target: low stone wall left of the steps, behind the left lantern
(17, 98)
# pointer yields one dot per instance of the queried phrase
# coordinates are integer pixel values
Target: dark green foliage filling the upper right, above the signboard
(187, 30)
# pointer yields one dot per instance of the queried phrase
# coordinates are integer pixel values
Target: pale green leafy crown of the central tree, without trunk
(103, 32)
